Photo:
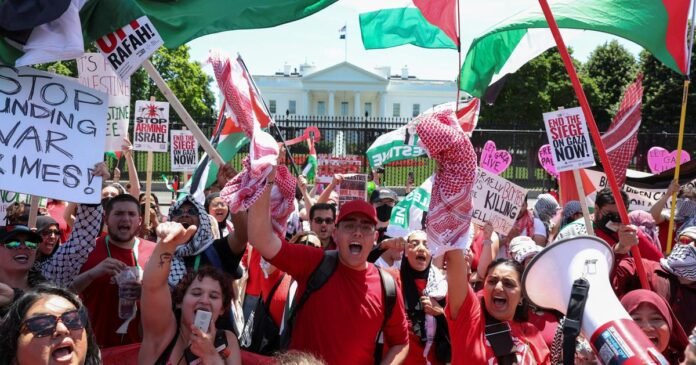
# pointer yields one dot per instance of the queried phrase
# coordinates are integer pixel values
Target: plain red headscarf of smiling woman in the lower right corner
(677, 337)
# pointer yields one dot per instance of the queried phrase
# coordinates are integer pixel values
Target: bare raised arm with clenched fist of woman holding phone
(158, 321)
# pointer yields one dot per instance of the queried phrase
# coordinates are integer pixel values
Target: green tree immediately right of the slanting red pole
(612, 67)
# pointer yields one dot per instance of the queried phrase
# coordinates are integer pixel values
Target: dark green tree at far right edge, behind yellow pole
(663, 89)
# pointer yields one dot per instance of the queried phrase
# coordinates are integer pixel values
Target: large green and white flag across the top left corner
(177, 22)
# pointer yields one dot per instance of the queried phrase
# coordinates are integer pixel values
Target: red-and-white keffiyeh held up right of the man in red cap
(449, 214)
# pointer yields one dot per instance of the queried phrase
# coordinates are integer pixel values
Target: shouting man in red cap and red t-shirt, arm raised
(340, 321)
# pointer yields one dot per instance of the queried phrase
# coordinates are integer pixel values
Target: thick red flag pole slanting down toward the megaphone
(592, 125)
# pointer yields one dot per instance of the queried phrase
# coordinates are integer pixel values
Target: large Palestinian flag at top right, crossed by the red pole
(659, 26)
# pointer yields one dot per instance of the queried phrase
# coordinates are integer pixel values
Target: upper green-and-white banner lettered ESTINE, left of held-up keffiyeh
(397, 145)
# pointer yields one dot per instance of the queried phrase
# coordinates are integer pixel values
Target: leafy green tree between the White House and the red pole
(540, 86)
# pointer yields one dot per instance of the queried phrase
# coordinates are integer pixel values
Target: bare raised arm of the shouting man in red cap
(259, 227)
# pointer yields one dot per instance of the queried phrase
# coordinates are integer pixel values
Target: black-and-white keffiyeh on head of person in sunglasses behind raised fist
(196, 245)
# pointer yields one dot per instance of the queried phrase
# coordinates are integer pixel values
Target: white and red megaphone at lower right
(547, 282)
